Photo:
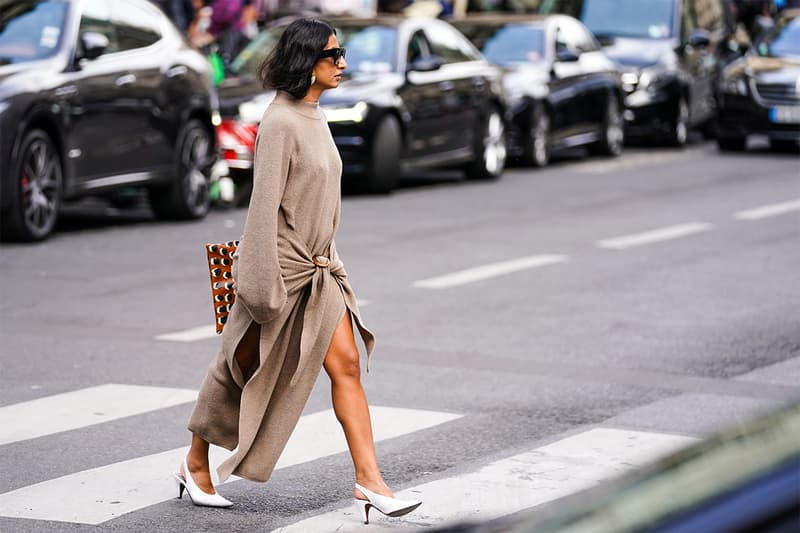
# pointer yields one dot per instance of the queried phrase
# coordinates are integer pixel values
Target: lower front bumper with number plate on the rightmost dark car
(741, 115)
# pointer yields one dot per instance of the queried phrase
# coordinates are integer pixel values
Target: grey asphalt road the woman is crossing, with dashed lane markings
(642, 294)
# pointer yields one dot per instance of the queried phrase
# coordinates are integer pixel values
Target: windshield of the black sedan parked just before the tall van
(508, 45)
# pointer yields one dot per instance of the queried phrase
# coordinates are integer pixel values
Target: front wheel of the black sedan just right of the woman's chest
(384, 164)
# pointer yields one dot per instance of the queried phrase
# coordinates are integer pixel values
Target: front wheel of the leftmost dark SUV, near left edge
(37, 186)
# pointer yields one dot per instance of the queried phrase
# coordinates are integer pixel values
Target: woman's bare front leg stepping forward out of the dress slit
(351, 408)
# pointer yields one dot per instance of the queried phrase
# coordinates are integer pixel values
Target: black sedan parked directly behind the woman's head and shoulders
(416, 94)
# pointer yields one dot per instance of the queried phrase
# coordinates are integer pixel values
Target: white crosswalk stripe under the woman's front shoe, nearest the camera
(514, 484)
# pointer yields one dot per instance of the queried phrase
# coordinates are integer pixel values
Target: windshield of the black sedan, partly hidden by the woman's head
(369, 49)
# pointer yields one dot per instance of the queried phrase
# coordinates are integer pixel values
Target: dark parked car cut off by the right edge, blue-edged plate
(760, 93)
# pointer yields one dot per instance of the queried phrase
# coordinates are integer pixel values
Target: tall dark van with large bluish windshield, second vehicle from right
(669, 51)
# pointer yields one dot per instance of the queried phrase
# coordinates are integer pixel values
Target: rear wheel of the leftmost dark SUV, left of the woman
(187, 197)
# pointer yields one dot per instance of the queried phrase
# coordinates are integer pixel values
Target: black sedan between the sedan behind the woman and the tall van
(562, 90)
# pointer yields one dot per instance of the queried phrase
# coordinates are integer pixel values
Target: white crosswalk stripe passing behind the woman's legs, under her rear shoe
(100, 494)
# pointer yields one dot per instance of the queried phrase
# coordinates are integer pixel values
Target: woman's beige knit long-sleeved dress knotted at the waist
(289, 280)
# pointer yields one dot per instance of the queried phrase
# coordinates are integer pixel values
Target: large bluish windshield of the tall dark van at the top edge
(629, 18)
